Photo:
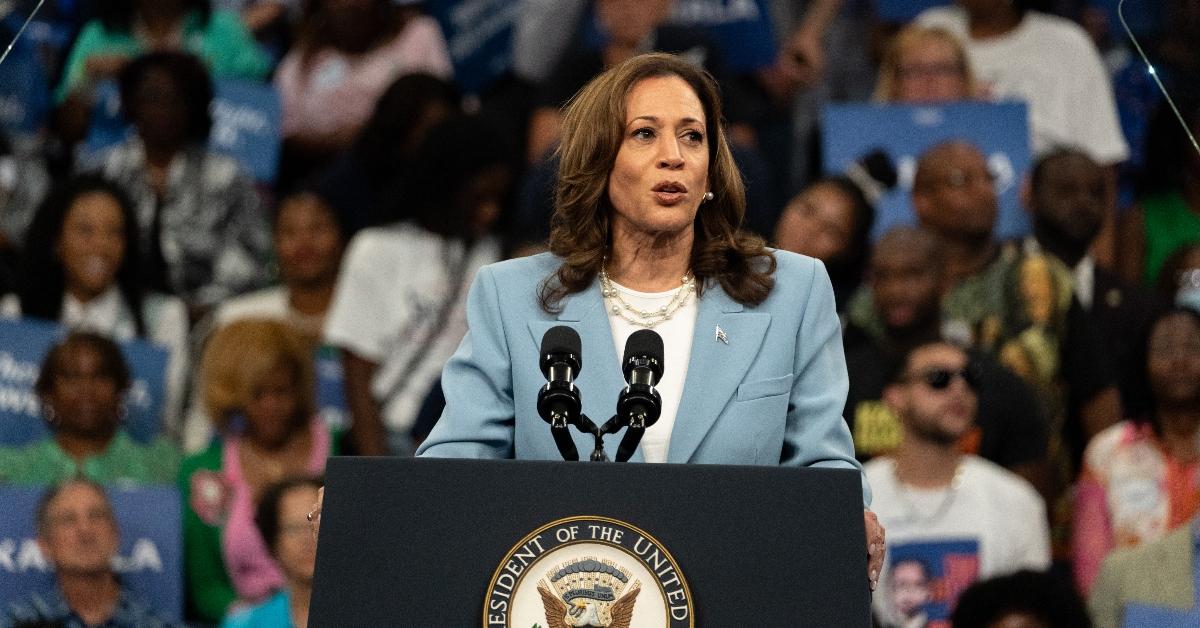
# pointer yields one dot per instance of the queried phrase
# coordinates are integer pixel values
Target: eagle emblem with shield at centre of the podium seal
(589, 594)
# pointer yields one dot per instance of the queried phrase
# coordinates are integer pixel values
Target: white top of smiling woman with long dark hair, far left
(166, 320)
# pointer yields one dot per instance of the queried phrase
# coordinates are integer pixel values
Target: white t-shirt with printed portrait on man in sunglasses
(992, 524)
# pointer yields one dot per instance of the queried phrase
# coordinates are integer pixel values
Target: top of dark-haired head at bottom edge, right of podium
(1025, 600)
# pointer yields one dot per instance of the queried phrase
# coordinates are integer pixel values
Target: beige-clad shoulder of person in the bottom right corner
(1149, 585)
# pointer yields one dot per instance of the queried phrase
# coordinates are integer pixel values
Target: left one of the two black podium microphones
(559, 402)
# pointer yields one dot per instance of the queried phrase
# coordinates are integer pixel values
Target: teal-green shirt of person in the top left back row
(225, 45)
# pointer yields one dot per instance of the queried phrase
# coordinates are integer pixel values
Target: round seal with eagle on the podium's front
(589, 572)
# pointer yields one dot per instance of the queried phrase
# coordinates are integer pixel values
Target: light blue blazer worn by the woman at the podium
(773, 394)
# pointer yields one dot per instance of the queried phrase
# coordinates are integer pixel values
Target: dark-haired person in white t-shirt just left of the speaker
(397, 330)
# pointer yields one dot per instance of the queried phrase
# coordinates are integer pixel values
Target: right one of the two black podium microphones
(640, 405)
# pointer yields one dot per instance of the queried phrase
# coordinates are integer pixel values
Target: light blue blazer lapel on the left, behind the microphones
(601, 380)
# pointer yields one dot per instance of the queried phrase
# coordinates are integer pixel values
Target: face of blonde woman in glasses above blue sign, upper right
(931, 73)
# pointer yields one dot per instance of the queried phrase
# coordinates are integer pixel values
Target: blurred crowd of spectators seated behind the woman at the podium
(1028, 410)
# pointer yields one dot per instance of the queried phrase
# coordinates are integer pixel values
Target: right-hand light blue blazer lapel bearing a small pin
(716, 368)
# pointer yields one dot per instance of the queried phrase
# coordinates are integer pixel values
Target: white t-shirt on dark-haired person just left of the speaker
(392, 290)
